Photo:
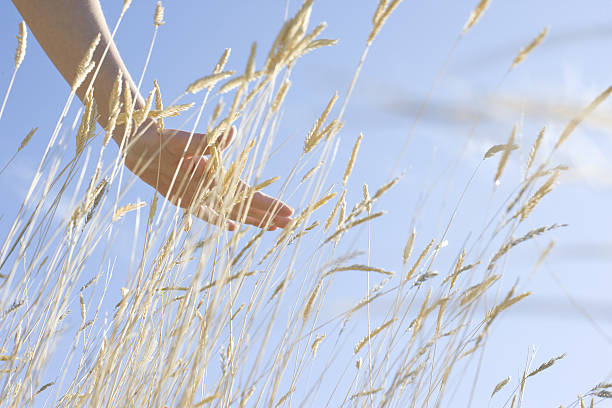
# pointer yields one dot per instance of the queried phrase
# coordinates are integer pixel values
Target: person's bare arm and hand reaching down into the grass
(65, 30)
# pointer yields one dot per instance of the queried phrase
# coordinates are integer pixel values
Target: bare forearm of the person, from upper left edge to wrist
(65, 30)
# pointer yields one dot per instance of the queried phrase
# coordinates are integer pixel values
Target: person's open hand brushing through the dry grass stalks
(158, 170)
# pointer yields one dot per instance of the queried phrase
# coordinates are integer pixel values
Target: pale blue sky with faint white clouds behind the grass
(572, 66)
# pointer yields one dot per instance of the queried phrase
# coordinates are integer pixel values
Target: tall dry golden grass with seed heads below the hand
(208, 317)
